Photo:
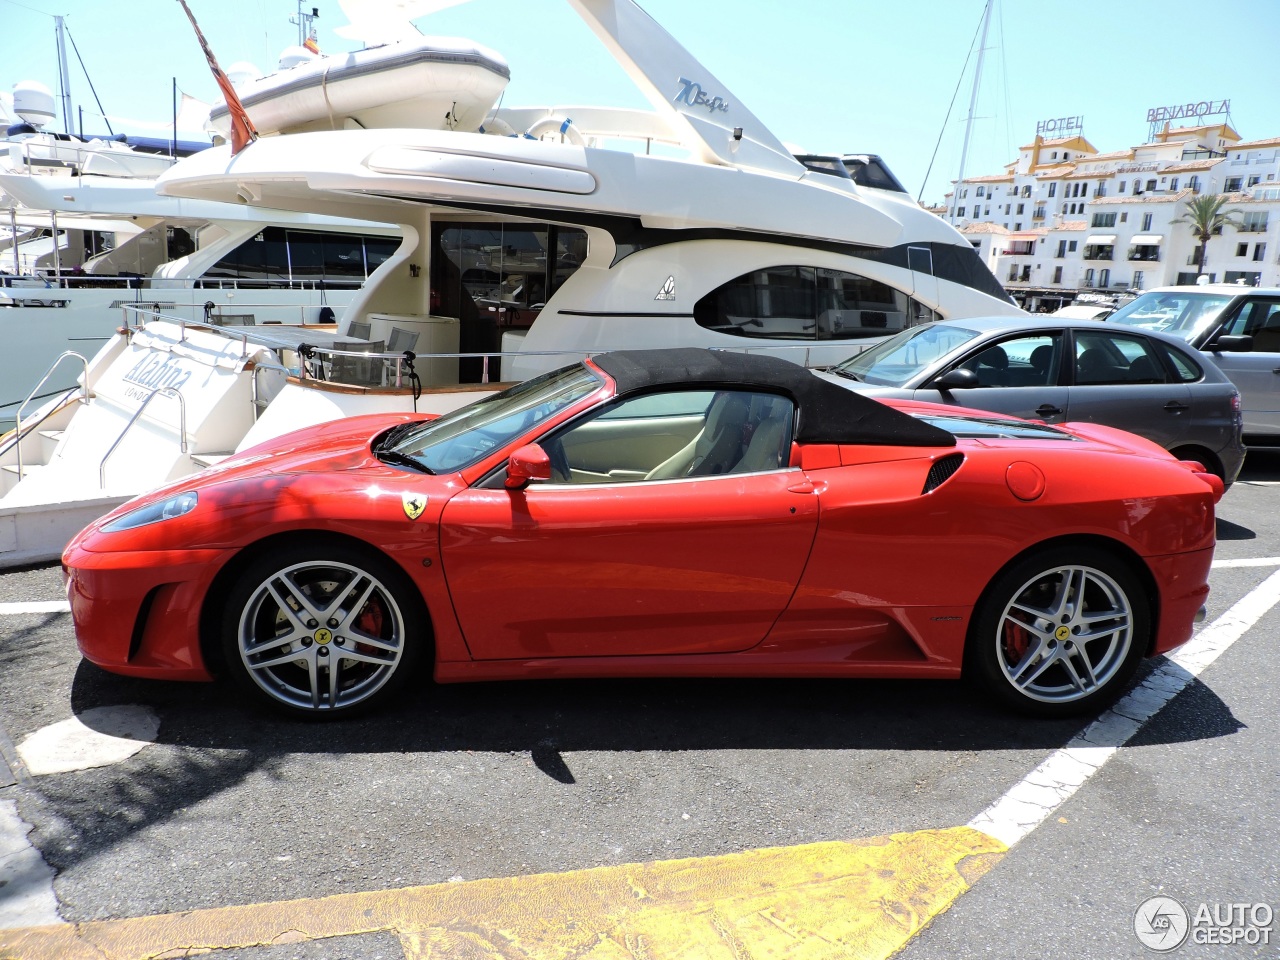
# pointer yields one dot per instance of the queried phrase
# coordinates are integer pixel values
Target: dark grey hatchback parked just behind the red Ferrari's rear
(1057, 371)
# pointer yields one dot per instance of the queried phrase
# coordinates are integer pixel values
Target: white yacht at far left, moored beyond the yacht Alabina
(85, 232)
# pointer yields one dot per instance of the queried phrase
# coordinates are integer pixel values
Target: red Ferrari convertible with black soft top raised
(659, 514)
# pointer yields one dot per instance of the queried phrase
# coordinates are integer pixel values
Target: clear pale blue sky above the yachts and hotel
(829, 76)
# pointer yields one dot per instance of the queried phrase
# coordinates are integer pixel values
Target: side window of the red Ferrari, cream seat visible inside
(675, 435)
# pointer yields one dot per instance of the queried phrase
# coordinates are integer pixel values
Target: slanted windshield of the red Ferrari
(464, 437)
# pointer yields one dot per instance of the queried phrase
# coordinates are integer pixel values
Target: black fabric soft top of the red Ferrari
(828, 413)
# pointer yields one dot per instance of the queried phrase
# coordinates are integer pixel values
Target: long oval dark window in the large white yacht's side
(808, 304)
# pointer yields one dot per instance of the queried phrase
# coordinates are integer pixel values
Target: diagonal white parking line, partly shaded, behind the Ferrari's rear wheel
(1049, 787)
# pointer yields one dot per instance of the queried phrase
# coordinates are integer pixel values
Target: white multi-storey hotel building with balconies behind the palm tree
(1066, 223)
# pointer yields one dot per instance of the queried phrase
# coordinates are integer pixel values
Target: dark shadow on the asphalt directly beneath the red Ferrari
(555, 716)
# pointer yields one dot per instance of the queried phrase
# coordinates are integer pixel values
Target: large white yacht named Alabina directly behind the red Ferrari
(532, 237)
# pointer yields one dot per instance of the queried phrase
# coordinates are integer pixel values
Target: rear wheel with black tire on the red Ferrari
(1028, 644)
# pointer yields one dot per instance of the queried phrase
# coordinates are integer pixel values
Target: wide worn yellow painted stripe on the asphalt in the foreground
(849, 900)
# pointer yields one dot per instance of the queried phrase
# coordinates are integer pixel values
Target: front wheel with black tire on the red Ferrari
(319, 601)
